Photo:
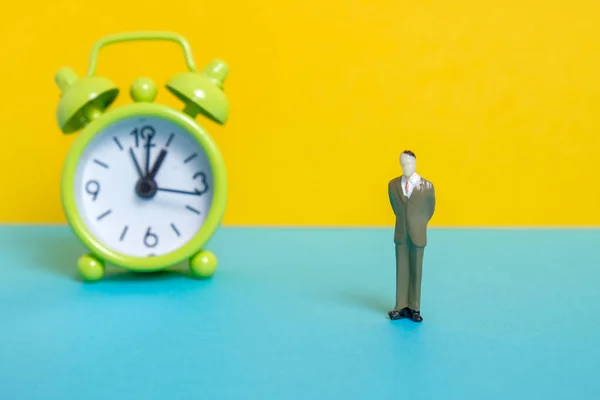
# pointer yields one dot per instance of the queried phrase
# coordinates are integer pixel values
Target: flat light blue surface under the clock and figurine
(302, 314)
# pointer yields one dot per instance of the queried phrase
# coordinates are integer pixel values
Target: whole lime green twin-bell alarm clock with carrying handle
(143, 186)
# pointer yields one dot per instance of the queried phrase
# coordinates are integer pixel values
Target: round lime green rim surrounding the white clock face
(216, 210)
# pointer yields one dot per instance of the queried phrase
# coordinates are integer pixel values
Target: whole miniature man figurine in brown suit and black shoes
(413, 201)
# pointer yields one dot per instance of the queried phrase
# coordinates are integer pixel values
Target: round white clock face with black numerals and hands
(143, 186)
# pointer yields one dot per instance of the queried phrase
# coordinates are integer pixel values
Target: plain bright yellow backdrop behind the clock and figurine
(500, 100)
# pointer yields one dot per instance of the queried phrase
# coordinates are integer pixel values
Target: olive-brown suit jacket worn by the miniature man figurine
(412, 214)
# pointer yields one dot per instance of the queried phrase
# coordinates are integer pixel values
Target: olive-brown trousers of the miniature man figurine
(409, 266)
